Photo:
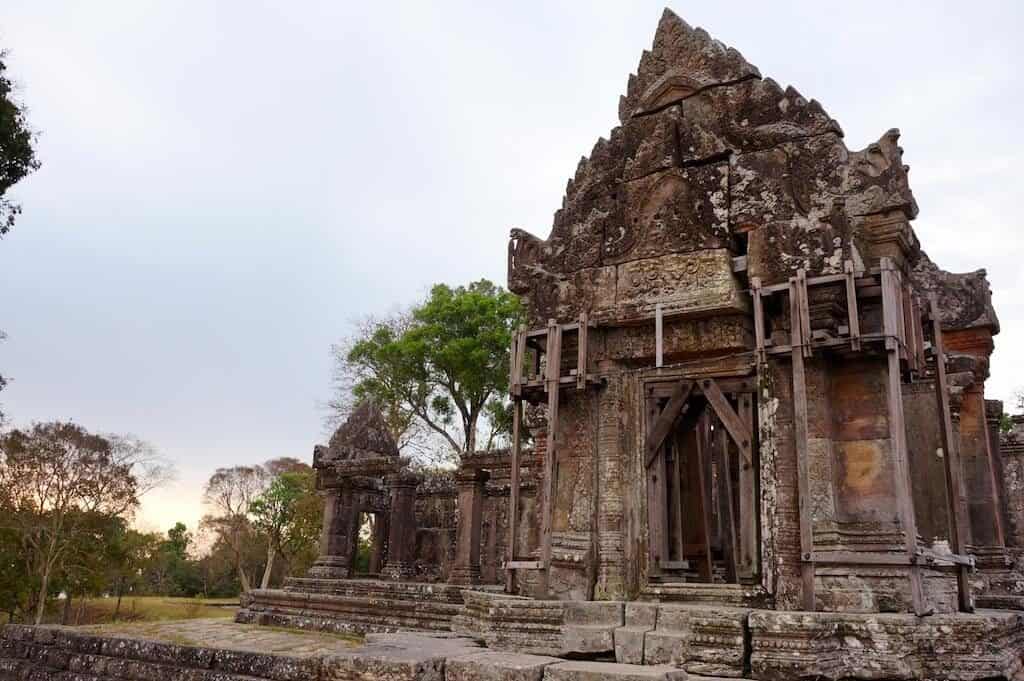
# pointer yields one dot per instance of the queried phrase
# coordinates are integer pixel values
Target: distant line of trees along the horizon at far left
(67, 502)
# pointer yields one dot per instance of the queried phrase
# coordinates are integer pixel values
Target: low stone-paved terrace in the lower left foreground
(222, 651)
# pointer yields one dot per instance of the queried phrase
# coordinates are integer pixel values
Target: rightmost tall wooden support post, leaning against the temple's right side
(956, 497)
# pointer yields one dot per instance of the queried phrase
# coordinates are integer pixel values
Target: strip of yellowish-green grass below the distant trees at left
(144, 609)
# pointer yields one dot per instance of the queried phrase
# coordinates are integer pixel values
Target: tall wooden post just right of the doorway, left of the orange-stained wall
(800, 439)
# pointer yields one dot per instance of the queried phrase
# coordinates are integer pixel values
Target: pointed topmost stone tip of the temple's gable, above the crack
(682, 61)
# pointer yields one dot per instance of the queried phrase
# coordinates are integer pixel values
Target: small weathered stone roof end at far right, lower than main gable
(965, 300)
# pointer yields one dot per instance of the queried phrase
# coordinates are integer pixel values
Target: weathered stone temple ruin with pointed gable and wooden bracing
(760, 441)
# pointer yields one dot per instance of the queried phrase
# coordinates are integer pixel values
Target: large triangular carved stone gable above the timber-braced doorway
(711, 161)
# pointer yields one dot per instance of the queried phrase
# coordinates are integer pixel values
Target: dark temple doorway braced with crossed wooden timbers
(702, 474)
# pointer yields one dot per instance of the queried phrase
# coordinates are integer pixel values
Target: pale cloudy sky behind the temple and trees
(228, 186)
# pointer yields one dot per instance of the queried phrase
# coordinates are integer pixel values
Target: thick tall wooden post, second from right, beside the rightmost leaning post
(892, 306)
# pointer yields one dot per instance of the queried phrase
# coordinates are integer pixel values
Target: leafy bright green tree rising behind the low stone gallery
(445, 366)
